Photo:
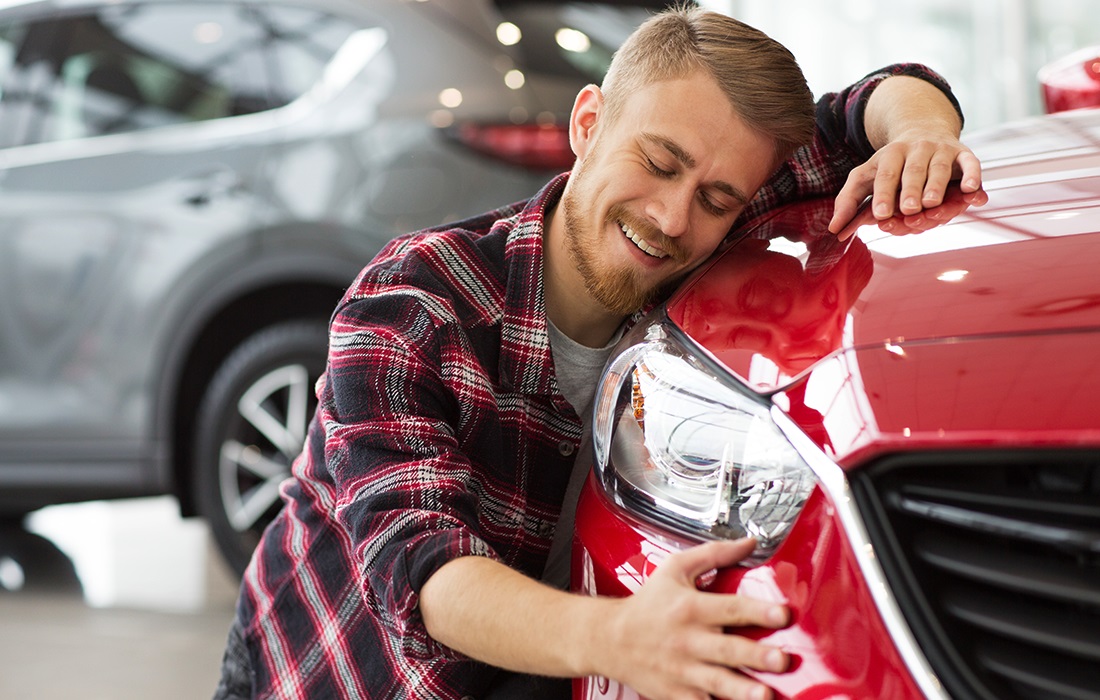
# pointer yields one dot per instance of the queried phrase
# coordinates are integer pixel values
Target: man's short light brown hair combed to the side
(760, 75)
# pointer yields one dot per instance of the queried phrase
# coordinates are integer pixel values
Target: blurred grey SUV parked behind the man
(188, 188)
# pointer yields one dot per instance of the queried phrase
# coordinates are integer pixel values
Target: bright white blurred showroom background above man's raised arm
(991, 51)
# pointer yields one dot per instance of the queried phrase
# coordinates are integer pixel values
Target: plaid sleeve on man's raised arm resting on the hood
(840, 144)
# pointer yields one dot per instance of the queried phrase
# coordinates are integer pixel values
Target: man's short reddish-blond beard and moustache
(620, 289)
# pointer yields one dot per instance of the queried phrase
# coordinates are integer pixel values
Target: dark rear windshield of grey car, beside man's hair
(569, 39)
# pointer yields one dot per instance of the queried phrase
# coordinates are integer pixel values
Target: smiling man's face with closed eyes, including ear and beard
(656, 190)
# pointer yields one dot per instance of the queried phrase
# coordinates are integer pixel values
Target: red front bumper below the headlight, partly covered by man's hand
(842, 650)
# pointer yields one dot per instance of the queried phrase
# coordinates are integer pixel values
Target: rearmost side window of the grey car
(303, 42)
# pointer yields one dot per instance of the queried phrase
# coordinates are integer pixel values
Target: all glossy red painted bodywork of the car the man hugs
(980, 334)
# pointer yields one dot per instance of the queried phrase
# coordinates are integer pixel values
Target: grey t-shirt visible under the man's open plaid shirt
(578, 369)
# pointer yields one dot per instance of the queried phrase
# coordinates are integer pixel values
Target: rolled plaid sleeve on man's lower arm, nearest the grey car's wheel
(402, 488)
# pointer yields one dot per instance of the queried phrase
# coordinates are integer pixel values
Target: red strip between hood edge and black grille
(871, 402)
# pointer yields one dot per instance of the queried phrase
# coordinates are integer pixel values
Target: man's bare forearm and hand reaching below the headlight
(665, 641)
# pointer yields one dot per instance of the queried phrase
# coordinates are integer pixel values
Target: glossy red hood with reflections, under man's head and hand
(789, 294)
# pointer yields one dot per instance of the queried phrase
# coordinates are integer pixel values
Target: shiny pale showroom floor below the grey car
(112, 603)
